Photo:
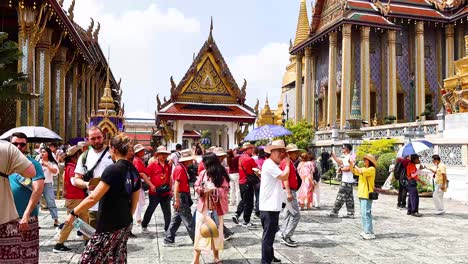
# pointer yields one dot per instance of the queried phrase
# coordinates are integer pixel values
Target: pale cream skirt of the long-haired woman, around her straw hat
(204, 244)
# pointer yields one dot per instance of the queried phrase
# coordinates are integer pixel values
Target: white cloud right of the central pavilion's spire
(263, 71)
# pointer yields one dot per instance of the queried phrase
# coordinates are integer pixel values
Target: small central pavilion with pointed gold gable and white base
(207, 98)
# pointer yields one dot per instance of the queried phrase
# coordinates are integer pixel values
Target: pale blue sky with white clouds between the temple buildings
(150, 40)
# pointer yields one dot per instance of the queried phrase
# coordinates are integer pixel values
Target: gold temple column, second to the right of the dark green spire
(392, 75)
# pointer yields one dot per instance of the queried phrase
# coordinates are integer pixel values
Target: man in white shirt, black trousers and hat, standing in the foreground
(271, 196)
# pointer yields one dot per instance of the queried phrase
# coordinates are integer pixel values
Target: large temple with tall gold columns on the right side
(398, 52)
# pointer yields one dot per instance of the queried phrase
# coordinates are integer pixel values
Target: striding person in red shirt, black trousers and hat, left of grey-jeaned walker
(159, 174)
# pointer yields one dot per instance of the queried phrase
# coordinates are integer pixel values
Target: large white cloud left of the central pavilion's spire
(139, 40)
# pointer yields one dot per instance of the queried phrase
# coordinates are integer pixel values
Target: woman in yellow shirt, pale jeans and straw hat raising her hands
(365, 186)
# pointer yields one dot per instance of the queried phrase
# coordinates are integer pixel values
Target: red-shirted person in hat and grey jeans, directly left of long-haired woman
(182, 199)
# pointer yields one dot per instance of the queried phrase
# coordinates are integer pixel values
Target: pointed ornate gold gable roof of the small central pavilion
(208, 91)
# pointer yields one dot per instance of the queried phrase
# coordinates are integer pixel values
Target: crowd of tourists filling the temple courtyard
(109, 186)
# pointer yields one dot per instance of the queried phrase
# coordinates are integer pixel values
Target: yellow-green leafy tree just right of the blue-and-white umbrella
(302, 133)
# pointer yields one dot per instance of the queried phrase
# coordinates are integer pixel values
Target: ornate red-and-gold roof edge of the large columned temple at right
(327, 15)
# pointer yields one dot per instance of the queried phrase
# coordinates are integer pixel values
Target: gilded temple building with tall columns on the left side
(65, 66)
